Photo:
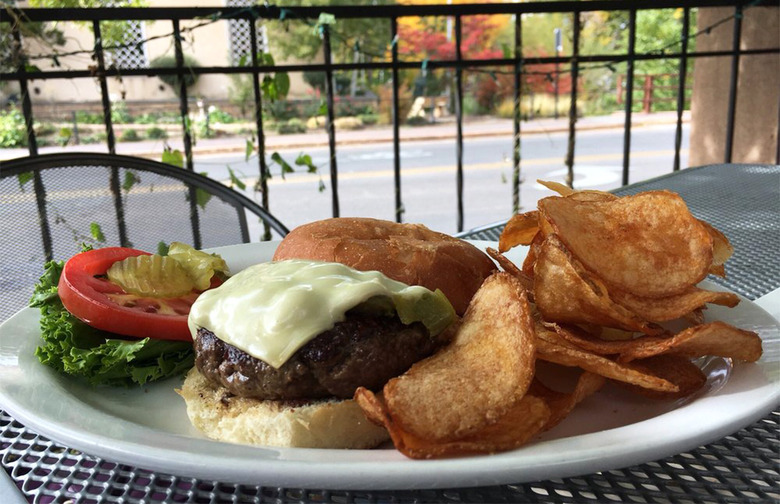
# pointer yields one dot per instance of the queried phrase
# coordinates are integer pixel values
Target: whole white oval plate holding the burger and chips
(148, 427)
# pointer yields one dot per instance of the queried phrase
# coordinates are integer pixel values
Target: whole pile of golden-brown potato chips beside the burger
(603, 278)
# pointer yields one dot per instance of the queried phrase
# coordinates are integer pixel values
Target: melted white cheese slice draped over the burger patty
(272, 309)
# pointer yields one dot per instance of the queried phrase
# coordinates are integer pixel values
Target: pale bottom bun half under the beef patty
(316, 424)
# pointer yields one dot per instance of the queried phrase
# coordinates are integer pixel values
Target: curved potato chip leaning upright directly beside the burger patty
(479, 375)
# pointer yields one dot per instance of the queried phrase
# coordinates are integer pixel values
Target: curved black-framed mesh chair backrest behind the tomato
(51, 204)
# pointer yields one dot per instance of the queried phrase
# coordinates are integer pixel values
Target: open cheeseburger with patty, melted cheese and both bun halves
(282, 346)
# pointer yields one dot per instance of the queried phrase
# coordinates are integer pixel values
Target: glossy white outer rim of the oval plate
(388, 470)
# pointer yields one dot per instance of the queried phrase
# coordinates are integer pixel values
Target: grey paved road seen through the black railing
(428, 183)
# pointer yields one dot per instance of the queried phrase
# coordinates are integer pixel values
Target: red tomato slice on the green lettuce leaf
(88, 295)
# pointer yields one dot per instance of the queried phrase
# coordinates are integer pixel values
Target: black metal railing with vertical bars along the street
(517, 64)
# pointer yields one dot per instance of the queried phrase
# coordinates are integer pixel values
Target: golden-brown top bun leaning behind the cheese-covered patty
(408, 253)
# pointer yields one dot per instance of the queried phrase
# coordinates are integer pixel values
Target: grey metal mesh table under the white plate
(741, 200)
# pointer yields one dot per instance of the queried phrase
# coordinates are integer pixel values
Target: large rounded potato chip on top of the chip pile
(648, 244)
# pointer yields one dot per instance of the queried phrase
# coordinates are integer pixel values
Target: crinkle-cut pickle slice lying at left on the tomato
(151, 276)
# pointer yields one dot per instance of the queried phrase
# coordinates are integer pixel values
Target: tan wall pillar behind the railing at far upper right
(758, 90)
